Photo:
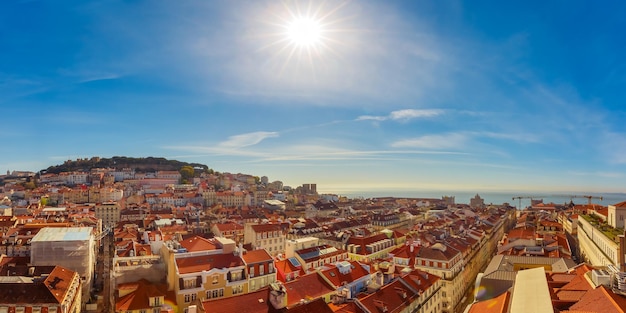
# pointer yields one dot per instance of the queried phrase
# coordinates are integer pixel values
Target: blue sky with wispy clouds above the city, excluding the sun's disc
(438, 95)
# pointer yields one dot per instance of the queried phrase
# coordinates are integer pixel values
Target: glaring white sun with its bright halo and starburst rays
(303, 36)
